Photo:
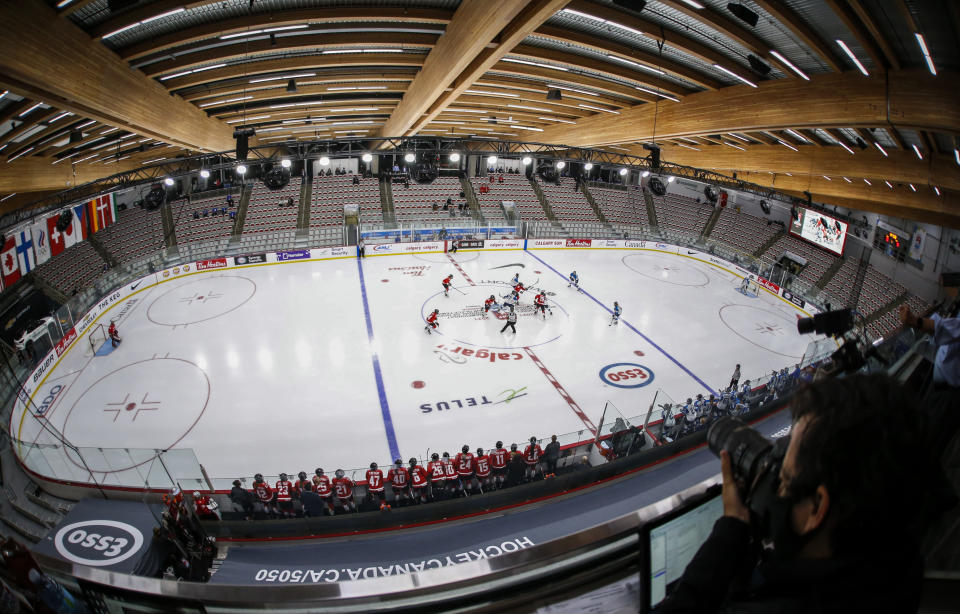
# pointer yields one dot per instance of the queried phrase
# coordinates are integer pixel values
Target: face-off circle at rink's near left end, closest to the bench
(148, 405)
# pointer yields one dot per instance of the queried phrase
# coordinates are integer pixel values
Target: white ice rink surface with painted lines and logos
(325, 363)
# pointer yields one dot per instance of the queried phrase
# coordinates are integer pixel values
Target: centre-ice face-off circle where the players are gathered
(461, 318)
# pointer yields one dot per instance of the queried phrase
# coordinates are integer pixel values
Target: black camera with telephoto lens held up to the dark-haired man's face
(756, 467)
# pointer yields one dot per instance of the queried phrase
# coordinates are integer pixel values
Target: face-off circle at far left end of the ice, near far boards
(200, 300)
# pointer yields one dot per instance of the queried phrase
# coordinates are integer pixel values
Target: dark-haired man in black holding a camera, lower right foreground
(841, 513)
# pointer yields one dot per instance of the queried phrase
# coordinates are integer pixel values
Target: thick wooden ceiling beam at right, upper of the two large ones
(909, 99)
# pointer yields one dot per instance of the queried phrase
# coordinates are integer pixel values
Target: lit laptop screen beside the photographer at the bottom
(673, 544)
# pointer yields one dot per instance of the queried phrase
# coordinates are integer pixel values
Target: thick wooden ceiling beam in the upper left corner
(53, 60)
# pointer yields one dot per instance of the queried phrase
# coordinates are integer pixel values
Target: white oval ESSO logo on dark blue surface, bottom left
(98, 542)
